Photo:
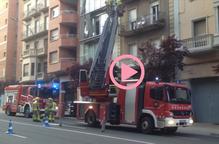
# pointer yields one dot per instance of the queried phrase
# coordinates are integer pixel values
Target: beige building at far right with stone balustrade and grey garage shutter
(197, 25)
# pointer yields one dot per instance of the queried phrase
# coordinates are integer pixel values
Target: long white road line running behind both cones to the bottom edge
(86, 133)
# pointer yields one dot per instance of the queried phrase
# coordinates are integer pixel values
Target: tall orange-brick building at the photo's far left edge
(8, 36)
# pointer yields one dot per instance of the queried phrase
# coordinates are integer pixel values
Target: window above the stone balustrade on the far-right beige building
(199, 27)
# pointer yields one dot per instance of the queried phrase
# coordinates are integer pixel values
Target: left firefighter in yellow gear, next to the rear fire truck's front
(36, 110)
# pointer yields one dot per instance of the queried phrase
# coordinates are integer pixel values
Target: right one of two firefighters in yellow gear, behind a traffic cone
(50, 109)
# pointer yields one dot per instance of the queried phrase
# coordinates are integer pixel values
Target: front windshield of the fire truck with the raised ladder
(178, 95)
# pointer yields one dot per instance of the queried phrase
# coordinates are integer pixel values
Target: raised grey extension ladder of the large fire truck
(99, 68)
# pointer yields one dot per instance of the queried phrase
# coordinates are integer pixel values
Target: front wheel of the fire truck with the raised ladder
(147, 125)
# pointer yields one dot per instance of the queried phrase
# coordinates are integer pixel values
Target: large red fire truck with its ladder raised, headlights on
(149, 106)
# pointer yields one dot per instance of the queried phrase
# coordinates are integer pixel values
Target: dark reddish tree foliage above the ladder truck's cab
(163, 61)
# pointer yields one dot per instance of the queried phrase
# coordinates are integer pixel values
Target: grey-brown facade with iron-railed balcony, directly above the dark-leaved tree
(143, 20)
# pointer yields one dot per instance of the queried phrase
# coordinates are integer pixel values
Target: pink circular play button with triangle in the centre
(127, 72)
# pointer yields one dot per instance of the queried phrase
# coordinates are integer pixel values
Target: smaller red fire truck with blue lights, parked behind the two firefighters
(19, 99)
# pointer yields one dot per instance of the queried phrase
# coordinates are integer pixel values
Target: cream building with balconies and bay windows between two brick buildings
(35, 40)
